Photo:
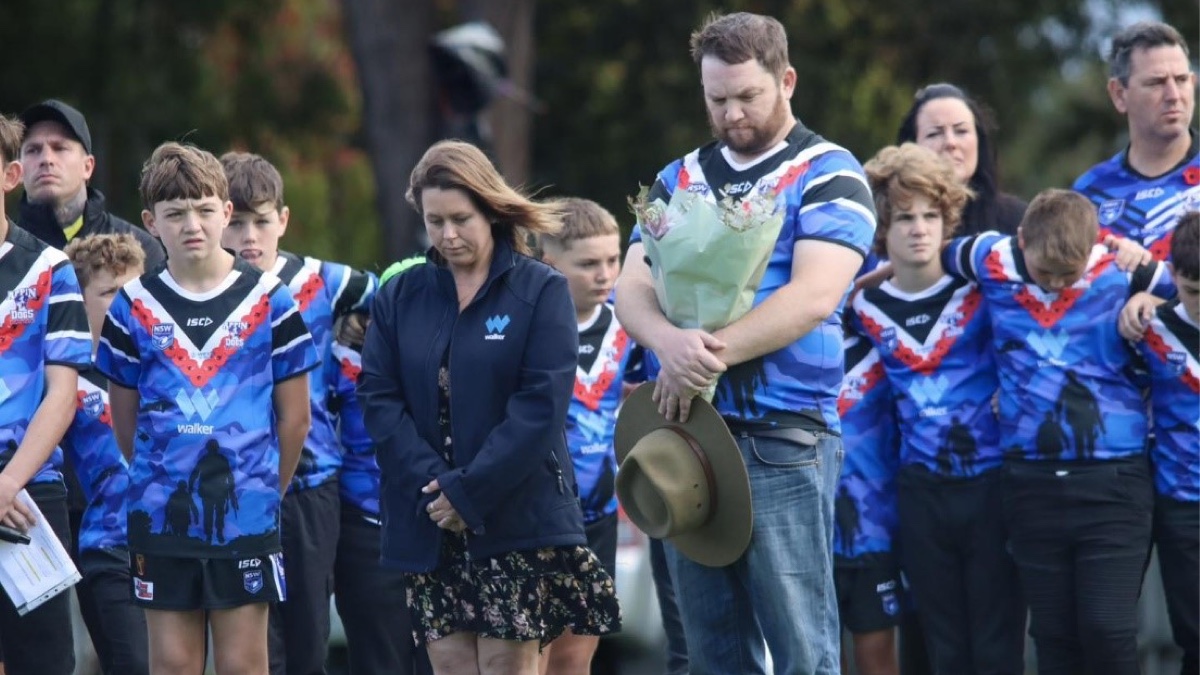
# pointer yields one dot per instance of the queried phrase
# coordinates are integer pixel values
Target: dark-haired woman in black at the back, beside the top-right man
(946, 121)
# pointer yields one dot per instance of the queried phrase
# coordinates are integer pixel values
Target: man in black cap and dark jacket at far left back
(58, 207)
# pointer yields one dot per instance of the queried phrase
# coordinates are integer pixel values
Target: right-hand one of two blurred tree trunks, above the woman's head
(512, 122)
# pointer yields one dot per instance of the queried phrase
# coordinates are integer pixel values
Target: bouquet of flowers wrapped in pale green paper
(709, 256)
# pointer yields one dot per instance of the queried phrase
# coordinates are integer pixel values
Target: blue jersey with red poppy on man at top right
(1144, 210)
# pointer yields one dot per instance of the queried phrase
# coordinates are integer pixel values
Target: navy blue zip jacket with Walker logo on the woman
(513, 357)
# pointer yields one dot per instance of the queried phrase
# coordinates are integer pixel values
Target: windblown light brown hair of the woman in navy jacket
(454, 165)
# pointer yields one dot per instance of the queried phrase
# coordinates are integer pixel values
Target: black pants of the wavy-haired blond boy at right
(963, 581)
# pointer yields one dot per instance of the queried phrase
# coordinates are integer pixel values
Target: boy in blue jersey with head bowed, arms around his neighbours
(1078, 489)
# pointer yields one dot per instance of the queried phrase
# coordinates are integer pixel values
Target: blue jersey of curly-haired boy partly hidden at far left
(100, 467)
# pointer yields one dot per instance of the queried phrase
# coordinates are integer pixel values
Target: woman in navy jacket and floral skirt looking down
(467, 373)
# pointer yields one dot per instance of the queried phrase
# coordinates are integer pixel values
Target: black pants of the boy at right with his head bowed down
(1081, 536)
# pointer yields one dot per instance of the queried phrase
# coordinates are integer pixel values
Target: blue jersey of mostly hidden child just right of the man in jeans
(866, 504)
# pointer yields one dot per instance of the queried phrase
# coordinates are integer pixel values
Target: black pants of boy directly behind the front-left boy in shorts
(299, 626)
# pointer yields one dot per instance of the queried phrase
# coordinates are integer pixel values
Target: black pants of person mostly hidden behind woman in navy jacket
(371, 604)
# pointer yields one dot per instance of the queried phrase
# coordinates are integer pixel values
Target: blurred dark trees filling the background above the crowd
(602, 94)
